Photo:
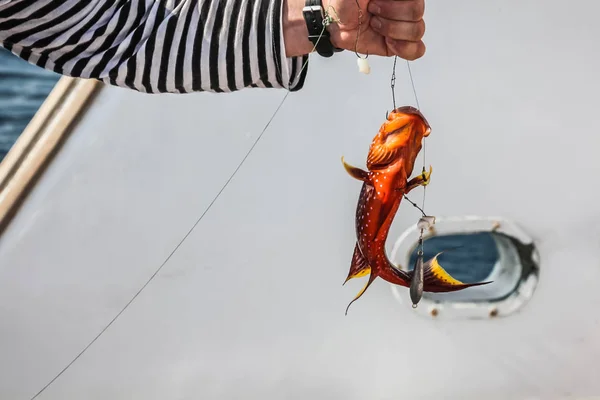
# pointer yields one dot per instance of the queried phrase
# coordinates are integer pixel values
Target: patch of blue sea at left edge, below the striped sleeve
(23, 89)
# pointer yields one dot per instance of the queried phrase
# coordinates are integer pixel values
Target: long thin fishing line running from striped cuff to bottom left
(172, 253)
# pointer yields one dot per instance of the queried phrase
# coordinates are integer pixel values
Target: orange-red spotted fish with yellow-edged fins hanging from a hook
(390, 161)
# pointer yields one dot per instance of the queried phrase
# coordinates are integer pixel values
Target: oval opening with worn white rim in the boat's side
(474, 249)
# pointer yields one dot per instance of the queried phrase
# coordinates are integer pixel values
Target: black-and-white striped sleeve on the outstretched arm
(156, 46)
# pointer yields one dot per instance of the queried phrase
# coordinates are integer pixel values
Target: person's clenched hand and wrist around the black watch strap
(387, 27)
